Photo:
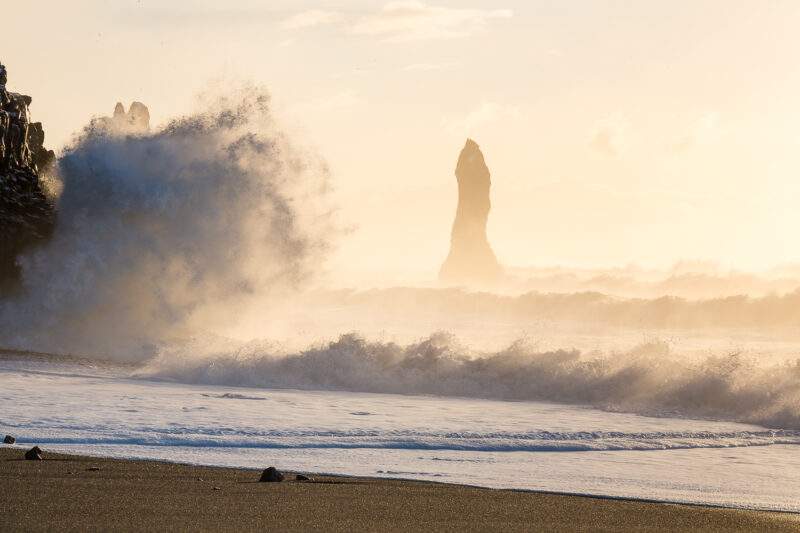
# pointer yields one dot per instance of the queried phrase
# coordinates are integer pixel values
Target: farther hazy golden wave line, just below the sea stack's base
(588, 307)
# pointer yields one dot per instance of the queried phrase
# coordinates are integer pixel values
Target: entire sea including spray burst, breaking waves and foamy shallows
(178, 314)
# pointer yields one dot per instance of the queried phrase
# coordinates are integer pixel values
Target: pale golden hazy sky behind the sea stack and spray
(616, 132)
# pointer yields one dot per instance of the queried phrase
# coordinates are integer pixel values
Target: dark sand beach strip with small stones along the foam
(63, 493)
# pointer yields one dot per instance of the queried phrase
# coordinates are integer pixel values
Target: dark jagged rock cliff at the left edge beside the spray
(26, 214)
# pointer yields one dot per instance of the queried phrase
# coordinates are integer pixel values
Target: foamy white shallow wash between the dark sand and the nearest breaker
(105, 409)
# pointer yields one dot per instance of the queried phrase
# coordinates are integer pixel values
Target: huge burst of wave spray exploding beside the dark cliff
(159, 232)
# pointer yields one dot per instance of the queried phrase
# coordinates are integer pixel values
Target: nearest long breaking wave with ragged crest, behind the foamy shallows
(648, 379)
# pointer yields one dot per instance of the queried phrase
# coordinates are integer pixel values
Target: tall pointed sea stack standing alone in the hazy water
(471, 261)
